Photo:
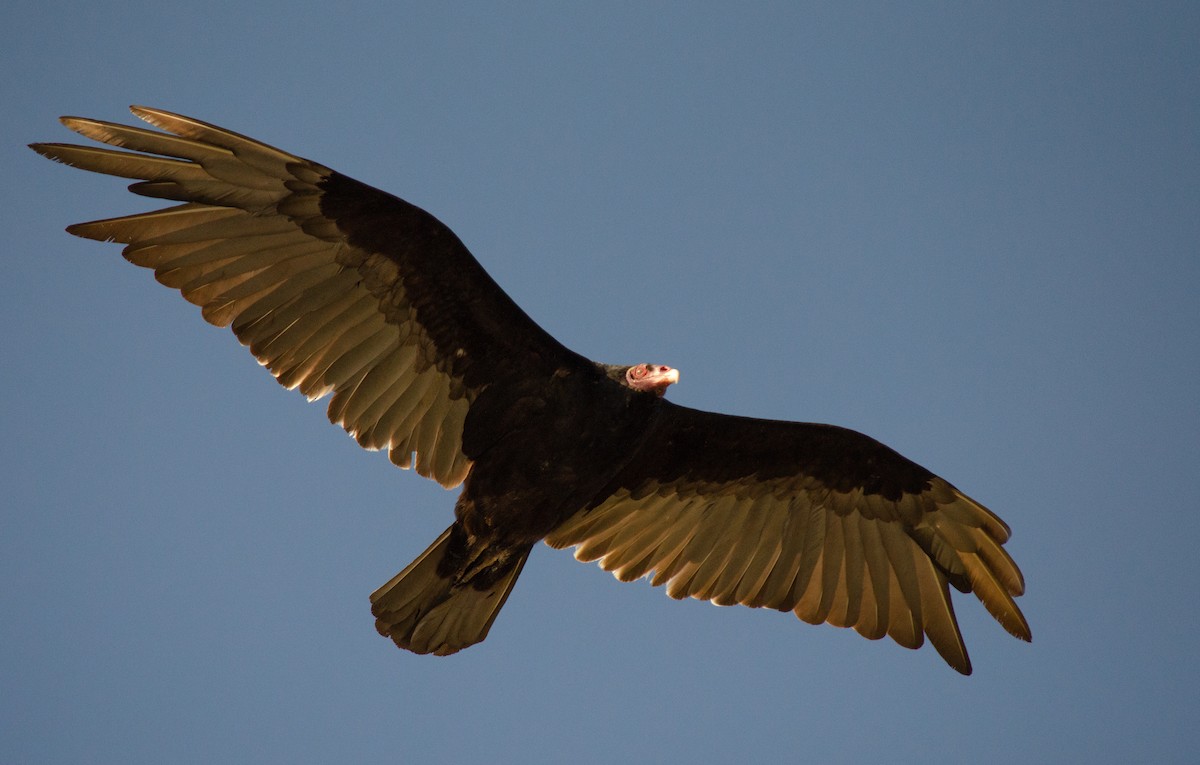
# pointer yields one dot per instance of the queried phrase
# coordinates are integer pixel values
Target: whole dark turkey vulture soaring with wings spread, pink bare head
(343, 290)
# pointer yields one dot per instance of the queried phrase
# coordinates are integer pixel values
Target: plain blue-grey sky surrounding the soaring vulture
(971, 231)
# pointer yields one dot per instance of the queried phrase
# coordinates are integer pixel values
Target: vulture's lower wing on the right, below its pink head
(811, 519)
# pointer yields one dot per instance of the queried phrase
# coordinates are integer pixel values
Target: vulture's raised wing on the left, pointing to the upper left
(337, 287)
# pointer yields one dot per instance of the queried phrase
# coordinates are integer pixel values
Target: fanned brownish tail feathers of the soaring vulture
(427, 610)
